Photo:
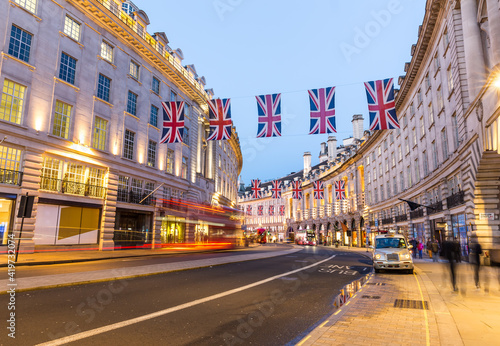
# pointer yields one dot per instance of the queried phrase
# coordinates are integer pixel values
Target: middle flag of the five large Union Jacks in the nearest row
(269, 110)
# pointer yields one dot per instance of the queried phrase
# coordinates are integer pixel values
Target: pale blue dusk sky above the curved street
(249, 48)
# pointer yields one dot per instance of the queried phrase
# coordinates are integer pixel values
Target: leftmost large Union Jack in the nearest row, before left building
(173, 122)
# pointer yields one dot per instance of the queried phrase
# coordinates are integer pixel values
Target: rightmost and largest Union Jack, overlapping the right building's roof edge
(381, 105)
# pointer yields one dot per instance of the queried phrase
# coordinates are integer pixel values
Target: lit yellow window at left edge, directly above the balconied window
(11, 107)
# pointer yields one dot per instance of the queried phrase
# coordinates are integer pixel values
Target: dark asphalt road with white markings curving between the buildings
(274, 301)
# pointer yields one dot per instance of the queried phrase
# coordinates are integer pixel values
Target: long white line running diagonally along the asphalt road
(129, 322)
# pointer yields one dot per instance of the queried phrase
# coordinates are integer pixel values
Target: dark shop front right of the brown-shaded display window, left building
(133, 228)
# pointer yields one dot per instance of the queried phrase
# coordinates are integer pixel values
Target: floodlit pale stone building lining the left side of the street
(80, 130)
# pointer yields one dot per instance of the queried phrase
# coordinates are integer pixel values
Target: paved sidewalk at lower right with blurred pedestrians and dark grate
(397, 309)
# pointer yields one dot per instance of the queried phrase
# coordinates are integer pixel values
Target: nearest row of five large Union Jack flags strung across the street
(381, 108)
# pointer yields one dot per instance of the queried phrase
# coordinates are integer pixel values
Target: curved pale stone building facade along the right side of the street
(445, 156)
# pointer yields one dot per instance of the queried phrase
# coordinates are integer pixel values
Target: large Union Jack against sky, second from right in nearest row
(322, 103)
